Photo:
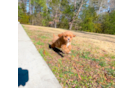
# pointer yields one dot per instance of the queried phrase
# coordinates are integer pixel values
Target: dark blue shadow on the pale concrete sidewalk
(22, 77)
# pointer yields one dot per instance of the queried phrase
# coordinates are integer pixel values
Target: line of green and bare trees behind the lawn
(80, 15)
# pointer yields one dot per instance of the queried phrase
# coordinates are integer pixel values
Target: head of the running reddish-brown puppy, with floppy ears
(67, 36)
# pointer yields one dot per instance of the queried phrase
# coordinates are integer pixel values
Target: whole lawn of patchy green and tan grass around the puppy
(91, 63)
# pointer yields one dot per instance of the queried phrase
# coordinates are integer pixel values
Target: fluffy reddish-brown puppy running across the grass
(63, 41)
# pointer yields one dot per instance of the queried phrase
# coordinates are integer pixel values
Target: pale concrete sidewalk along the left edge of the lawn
(39, 74)
